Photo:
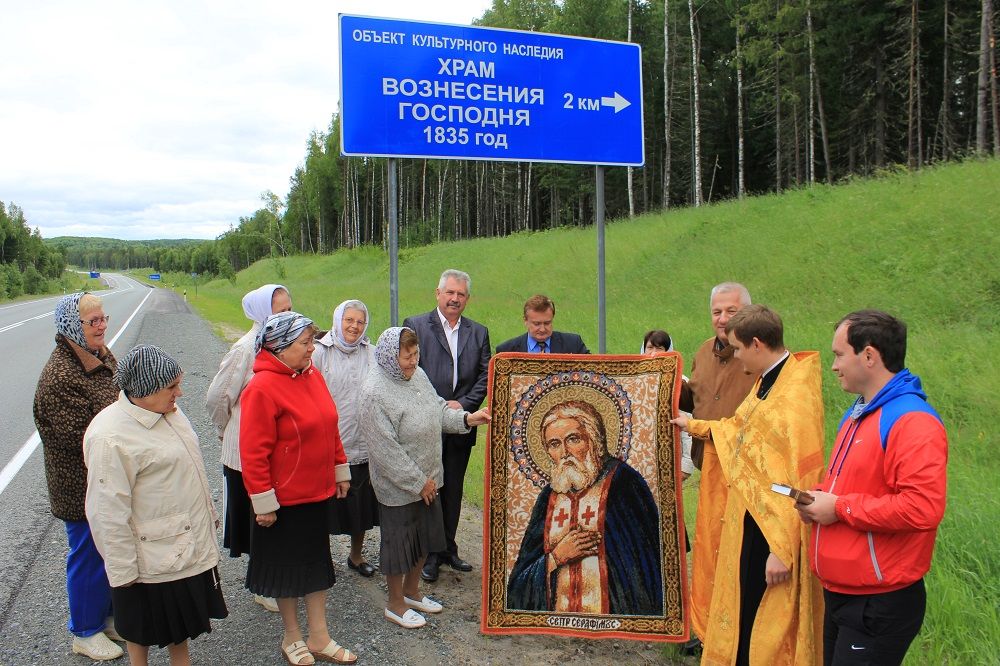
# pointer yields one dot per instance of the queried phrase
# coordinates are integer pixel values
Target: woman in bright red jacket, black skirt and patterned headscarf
(293, 463)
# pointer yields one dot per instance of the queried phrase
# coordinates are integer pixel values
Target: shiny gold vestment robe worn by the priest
(776, 440)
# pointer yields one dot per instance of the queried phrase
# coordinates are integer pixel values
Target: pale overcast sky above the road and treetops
(168, 118)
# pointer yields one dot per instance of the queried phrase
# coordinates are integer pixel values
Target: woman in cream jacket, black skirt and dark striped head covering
(150, 511)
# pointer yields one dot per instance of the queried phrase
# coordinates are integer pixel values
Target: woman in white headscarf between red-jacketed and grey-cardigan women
(343, 356)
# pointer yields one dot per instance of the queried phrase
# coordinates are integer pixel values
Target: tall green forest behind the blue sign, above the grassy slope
(741, 97)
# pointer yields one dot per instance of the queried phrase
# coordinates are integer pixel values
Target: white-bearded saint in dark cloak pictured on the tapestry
(592, 544)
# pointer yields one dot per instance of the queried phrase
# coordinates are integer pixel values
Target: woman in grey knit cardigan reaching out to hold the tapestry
(402, 418)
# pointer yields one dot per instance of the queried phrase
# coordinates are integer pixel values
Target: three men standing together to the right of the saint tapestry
(829, 567)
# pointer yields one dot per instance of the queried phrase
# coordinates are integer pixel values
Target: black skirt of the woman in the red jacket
(291, 558)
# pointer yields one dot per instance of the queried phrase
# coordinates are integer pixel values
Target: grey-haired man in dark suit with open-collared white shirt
(455, 354)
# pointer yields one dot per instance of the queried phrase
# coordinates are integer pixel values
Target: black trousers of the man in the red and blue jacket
(861, 629)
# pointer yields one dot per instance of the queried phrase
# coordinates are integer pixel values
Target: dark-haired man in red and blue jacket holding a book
(875, 516)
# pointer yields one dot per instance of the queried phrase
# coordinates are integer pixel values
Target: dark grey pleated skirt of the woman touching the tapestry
(409, 533)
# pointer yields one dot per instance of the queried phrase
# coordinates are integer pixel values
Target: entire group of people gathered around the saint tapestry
(324, 433)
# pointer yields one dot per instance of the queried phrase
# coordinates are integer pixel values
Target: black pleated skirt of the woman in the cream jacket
(168, 613)
